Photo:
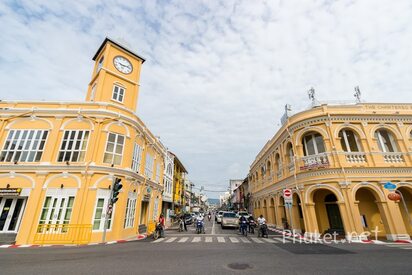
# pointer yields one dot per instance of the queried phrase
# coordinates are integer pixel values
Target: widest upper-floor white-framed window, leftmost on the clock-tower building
(28, 147)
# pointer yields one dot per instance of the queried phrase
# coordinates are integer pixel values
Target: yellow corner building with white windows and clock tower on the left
(59, 161)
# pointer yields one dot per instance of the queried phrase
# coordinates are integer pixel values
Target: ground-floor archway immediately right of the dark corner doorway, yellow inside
(369, 209)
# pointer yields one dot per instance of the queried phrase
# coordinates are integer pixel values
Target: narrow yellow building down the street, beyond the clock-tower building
(179, 175)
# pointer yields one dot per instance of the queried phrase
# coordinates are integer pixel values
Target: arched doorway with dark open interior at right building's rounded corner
(327, 211)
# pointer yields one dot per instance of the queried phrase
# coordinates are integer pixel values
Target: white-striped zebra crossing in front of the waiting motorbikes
(221, 239)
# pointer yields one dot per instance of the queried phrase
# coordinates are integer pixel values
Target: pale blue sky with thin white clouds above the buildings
(217, 73)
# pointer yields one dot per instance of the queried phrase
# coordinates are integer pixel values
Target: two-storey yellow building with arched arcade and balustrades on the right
(337, 159)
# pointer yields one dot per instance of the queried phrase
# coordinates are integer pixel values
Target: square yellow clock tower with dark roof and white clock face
(116, 75)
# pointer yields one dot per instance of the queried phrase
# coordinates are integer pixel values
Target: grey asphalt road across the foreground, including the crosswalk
(190, 253)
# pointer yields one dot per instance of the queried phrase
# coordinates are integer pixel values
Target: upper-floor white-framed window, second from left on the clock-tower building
(83, 143)
